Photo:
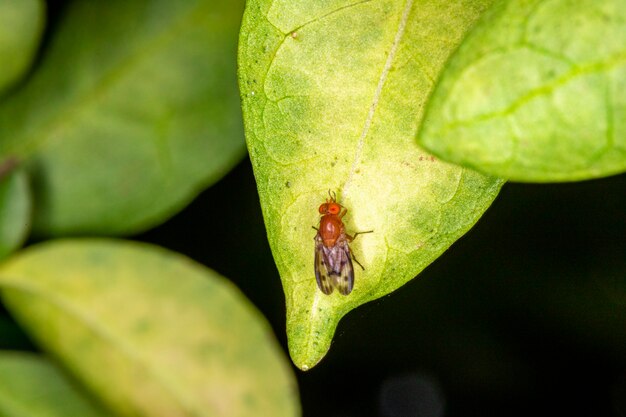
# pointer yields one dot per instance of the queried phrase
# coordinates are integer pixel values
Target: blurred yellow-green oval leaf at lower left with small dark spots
(149, 331)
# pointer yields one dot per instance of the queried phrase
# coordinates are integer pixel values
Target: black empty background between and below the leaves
(524, 315)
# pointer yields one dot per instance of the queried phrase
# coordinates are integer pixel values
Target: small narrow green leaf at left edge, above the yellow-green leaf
(15, 208)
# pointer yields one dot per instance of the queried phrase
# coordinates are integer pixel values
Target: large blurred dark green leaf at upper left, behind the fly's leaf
(132, 112)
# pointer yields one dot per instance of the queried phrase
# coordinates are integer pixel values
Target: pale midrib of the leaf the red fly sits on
(379, 89)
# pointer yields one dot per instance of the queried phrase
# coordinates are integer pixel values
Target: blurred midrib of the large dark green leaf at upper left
(32, 140)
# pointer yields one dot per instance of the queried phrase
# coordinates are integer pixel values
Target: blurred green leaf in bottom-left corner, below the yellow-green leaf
(31, 386)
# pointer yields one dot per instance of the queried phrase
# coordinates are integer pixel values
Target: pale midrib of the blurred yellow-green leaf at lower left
(102, 333)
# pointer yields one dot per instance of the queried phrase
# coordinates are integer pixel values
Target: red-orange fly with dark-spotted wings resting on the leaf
(333, 259)
